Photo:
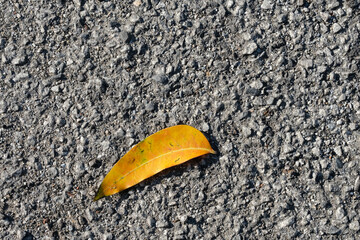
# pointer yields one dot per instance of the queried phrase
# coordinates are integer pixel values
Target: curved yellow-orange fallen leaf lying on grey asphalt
(164, 149)
